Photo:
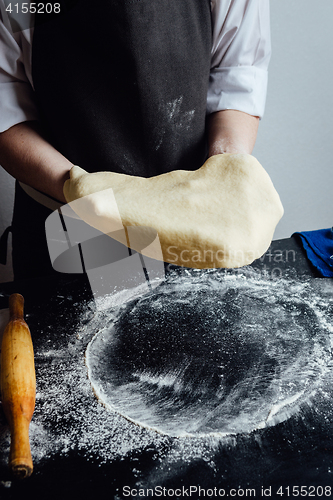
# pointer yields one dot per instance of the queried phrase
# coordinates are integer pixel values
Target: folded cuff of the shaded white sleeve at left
(16, 104)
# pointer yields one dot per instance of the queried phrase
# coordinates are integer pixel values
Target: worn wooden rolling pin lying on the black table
(18, 386)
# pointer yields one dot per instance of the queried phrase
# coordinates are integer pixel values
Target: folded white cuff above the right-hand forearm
(242, 88)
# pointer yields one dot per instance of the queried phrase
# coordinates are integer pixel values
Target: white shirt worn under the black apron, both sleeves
(240, 55)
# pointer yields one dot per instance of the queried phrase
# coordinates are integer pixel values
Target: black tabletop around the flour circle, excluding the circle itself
(80, 448)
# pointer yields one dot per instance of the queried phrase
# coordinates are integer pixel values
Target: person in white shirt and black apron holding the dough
(137, 87)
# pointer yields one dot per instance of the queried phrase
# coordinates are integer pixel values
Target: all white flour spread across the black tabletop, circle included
(267, 353)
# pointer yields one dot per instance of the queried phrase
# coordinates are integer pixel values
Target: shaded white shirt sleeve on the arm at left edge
(16, 93)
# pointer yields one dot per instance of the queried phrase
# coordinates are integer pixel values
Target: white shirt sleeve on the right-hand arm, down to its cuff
(240, 56)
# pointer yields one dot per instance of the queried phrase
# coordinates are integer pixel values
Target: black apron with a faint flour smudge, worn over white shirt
(121, 86)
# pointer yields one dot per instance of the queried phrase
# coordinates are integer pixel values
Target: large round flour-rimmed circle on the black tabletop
(209, 356)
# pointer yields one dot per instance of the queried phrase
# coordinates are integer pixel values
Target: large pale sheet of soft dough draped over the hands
(222, 215)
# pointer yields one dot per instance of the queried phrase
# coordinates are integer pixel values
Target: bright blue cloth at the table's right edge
(318, 246)
